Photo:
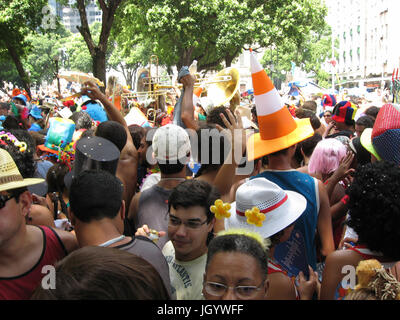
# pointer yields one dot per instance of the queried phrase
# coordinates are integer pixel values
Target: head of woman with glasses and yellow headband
(236, 267)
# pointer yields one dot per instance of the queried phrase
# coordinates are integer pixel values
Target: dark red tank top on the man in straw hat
(22, 287)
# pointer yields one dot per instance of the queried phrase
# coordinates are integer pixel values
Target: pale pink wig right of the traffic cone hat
(326, 156)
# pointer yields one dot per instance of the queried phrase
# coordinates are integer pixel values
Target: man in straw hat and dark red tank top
(26, 251)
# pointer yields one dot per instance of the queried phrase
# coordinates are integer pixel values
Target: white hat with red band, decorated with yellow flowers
(280, 207)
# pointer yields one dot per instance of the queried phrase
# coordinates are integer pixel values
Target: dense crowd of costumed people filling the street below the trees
(263, 201)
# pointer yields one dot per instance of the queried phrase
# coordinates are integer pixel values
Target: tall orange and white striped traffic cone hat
(278, 129)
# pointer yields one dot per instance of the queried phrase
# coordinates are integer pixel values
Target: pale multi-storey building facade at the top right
(367, 32)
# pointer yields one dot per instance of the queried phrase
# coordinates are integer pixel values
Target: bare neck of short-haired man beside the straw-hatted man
(98, 232)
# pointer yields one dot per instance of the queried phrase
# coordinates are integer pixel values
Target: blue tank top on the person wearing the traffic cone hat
(306, 224)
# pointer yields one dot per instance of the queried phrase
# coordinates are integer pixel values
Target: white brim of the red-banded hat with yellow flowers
(275, 220)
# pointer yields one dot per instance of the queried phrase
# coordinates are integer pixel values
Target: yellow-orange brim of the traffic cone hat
(257, 147)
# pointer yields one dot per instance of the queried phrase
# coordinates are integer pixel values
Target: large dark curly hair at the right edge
(374, 207)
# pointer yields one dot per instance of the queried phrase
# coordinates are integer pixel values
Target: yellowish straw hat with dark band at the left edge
(10, 177)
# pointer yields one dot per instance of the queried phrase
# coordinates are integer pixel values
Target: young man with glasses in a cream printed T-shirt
(190, 229)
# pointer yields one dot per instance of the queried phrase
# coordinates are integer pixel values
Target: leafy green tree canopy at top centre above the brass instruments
(216, 31)
